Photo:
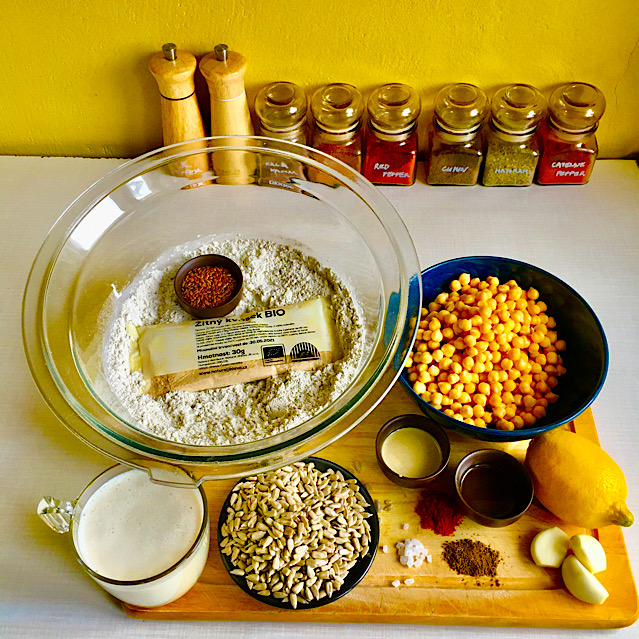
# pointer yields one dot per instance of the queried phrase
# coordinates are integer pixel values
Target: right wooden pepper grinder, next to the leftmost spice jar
(224, 73)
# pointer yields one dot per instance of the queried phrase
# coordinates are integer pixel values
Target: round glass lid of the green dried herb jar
(518, 108)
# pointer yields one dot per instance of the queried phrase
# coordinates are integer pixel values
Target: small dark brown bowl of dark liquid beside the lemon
(515, 489)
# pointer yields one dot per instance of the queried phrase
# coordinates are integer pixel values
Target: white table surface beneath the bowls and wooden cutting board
(588, 236)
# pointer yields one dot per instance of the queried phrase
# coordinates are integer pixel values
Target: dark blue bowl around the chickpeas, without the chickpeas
(585, 358)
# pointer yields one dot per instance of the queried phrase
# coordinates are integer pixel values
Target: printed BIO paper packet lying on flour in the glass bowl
(212, 353)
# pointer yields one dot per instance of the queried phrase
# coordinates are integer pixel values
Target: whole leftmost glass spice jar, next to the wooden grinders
(281, 109)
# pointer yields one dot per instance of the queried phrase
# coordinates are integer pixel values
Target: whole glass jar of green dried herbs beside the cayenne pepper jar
(512, 150)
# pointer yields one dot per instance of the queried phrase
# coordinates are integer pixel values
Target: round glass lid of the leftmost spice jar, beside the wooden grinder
(281, 106)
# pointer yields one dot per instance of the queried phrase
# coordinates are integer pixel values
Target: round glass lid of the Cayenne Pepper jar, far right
(576, 107)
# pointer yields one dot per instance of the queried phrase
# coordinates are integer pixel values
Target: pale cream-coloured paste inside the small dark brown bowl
(412, 452)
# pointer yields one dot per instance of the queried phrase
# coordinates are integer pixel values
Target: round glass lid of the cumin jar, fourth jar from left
(460, 108)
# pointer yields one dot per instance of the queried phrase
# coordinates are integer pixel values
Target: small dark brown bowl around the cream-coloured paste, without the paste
(412, 421)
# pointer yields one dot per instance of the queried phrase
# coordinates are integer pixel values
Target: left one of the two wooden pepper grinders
(173, 70)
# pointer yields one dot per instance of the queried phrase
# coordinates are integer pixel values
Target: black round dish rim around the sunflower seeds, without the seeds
(355, 574)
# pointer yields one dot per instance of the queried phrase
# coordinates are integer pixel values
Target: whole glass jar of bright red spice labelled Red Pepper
(390, 155)
